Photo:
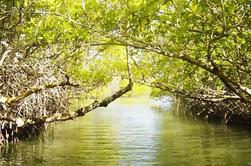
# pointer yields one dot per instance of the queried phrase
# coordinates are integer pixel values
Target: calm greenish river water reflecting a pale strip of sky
(133, 134)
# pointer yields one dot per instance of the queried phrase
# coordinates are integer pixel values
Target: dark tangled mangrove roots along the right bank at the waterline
(231, 113)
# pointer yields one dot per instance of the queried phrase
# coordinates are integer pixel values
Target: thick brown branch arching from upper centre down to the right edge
(243, 92)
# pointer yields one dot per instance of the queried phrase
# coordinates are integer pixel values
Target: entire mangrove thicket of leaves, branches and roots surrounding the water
(53, 52)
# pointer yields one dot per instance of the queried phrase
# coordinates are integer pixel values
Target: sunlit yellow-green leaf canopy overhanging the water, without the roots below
(199, 29)
